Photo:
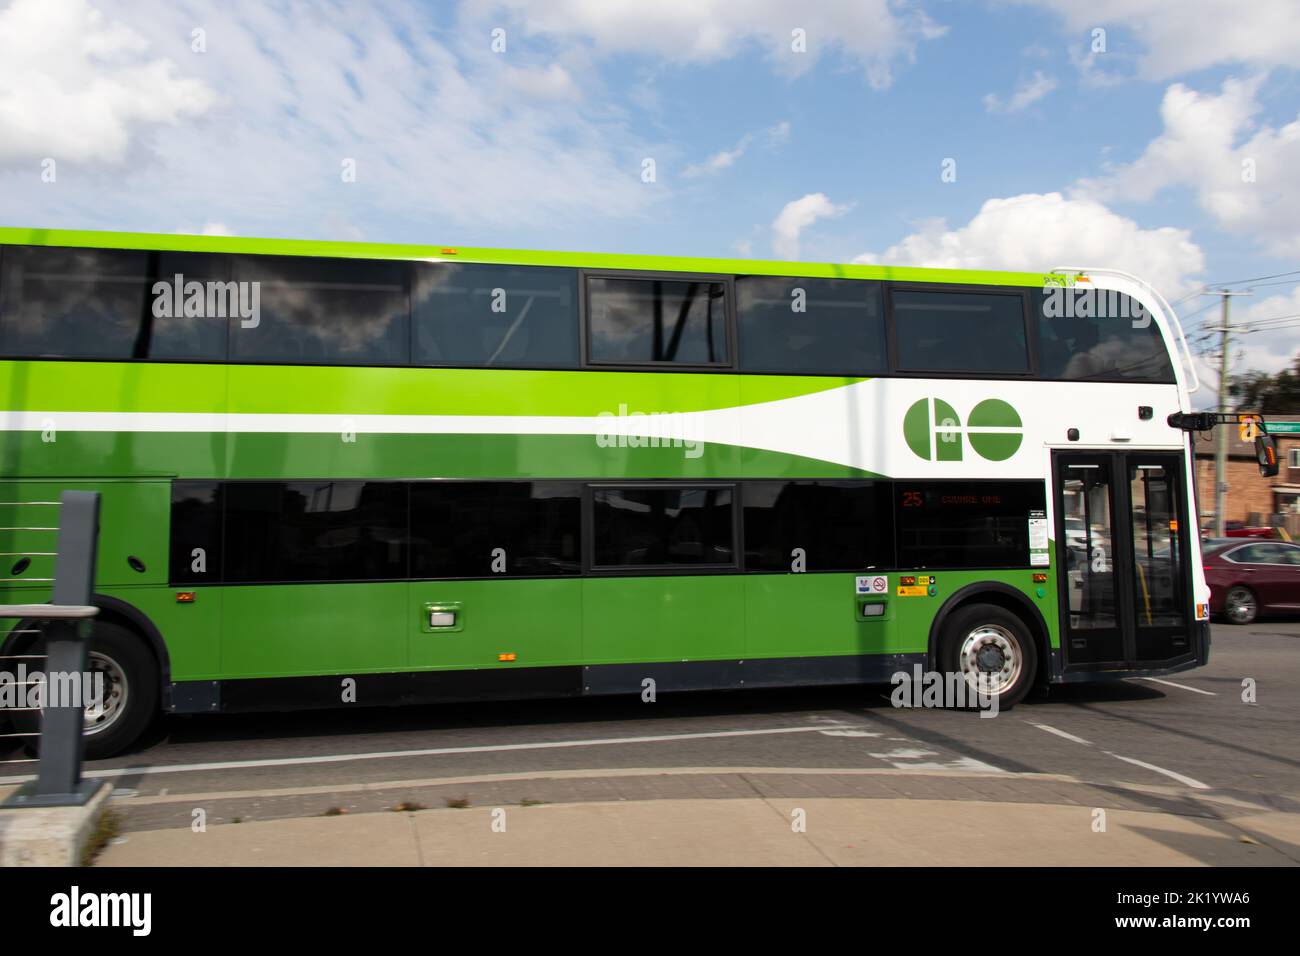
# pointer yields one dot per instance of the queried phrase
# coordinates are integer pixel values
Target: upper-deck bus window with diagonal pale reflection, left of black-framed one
(495, 317)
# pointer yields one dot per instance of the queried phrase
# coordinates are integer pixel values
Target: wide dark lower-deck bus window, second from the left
(315, 531)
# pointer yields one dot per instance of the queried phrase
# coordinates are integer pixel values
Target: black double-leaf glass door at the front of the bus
(1123, 552)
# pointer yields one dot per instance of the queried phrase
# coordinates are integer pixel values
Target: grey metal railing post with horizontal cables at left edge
(67, 637)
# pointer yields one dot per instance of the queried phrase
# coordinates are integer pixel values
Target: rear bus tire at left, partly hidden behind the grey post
(131, 691)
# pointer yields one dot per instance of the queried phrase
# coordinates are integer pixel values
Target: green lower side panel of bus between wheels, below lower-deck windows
(301, 630)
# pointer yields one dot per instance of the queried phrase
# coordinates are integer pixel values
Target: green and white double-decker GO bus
(343, 474)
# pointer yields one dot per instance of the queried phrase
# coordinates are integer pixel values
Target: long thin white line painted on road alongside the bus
(430, 752)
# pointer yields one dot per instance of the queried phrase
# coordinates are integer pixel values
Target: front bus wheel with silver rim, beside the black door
(993, 650)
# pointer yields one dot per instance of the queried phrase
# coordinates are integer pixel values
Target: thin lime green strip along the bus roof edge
(509, 257)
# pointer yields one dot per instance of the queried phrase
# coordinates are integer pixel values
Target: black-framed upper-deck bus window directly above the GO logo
(960, 332)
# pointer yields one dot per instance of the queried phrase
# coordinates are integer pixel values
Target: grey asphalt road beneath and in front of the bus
(1190, 733)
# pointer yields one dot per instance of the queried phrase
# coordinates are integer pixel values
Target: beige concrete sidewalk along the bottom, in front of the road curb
(756, 832)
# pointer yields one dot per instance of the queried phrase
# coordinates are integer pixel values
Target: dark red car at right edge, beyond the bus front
(1253, 578)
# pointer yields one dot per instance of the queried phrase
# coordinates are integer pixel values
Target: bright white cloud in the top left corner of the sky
(79, 86)
